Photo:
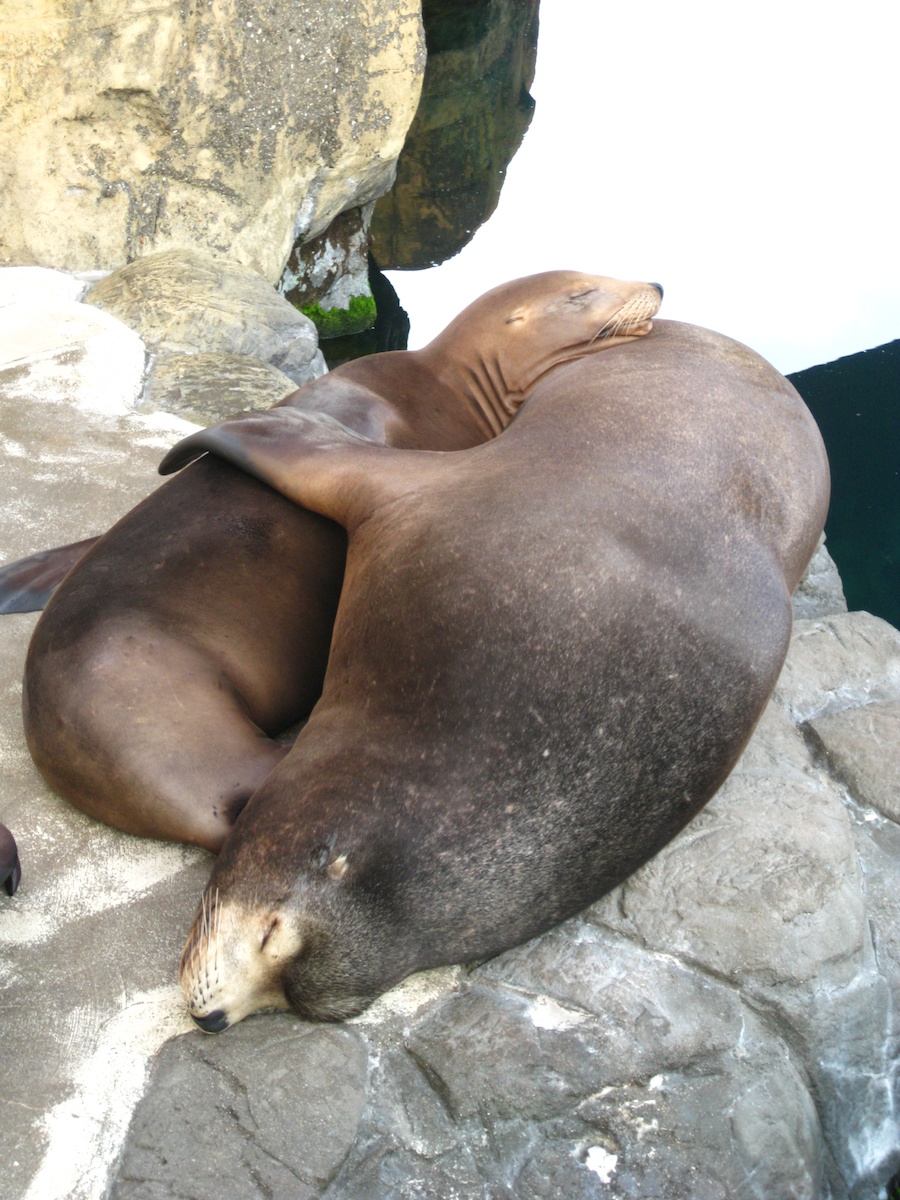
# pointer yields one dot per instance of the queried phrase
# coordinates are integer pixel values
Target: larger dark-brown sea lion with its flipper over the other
(549, 655)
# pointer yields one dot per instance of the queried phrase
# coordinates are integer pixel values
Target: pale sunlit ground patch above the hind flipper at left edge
(70, 376)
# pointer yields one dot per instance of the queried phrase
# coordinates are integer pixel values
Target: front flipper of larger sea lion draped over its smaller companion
(313, 460)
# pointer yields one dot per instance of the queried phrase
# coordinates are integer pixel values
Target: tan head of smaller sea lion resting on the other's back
(507, 341)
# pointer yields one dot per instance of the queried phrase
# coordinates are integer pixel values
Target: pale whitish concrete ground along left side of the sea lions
(89, 945)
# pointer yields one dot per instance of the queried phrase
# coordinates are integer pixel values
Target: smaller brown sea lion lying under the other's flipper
(197, 629)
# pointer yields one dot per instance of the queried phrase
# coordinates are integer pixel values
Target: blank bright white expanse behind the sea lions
(747, 159)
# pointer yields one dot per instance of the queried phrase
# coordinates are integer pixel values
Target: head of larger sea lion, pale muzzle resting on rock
(299, 921)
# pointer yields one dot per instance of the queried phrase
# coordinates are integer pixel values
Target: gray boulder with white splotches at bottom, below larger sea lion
(635, 1089)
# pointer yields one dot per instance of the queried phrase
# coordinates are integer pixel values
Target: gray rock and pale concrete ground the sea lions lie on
(723, 1025)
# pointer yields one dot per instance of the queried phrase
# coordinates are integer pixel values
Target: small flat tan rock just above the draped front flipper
(207, 388)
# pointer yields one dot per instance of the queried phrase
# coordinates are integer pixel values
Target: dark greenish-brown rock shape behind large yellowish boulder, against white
(473, 115)
